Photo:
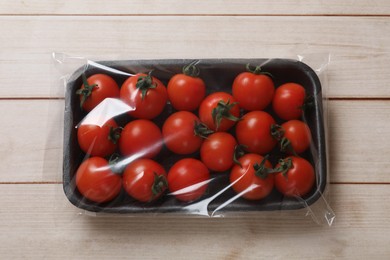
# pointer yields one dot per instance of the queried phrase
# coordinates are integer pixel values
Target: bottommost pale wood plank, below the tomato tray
(39, 218)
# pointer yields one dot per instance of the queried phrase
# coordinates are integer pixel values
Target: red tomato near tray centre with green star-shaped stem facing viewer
(219, 111)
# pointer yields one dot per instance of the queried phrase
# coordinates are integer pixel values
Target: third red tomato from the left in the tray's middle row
(179, 133)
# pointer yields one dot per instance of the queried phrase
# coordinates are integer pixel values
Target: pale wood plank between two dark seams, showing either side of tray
(31, 144)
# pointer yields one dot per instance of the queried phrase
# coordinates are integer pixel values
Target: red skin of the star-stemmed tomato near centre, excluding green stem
(210, 103)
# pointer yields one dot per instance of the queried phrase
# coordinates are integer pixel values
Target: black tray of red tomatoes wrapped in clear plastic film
(201, 137)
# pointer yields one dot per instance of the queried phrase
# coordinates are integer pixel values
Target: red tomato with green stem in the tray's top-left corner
(95, 89)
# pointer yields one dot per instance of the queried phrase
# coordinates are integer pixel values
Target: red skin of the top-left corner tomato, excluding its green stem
(106, 87)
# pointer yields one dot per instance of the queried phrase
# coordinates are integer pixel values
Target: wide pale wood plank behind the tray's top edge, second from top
(359, 47)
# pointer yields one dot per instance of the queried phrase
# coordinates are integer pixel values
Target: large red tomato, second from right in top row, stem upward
(253, 90)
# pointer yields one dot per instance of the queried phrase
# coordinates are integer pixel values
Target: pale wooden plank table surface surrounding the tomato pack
(36, 221)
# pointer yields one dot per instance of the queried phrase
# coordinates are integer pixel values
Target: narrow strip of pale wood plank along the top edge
(248, 7)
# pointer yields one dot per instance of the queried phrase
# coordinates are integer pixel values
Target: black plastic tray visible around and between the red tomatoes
(218, 75)
